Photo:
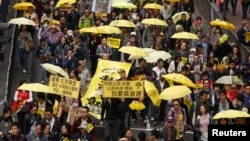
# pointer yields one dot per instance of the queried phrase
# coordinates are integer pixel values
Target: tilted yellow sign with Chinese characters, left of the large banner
(64, 86)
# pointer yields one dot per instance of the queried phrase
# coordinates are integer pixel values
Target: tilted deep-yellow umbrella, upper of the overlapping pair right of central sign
(179, 78)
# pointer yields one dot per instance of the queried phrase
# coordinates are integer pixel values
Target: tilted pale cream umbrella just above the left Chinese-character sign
(53, 69)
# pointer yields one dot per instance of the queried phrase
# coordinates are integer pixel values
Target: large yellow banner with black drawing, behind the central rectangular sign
(106, 71)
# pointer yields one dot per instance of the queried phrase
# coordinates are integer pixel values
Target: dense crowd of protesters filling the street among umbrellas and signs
(78, 53)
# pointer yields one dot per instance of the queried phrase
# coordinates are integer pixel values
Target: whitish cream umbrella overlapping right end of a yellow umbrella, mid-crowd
(155, 55)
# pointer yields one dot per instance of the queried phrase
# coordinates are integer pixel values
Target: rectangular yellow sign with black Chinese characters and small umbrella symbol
(125, 89)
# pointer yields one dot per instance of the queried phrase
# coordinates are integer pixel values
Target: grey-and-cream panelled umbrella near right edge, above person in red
(228, 79)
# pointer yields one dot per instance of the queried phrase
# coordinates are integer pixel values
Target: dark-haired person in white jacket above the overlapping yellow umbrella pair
(175, 65)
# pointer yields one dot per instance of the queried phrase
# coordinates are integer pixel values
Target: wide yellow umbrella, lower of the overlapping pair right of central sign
(174, 92)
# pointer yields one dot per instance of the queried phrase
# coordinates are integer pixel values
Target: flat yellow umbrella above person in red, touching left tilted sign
(36, 87)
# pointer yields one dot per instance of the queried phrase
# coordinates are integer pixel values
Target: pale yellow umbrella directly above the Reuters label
(230, 114)
